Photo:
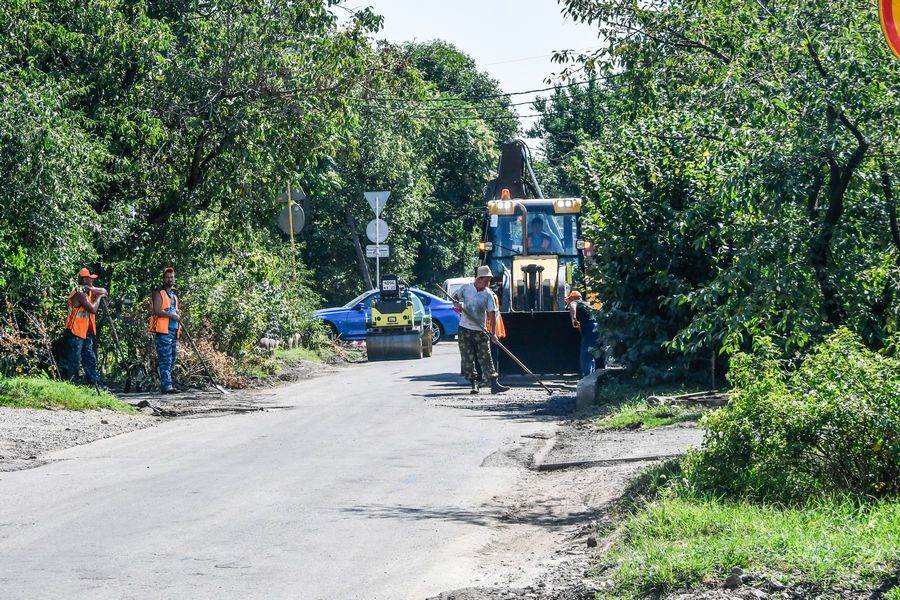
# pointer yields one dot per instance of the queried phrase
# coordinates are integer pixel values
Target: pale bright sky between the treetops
(512, 40)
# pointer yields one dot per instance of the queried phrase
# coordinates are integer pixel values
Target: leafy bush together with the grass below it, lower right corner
(798, 481)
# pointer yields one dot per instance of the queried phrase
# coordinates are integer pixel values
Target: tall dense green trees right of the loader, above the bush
(739, 160)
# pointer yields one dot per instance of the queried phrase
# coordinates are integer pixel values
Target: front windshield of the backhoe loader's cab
(547, 233)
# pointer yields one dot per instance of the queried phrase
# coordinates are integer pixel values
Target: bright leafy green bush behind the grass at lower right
(830, 428)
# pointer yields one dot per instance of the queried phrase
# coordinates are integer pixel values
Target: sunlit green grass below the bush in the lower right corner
(676, 543)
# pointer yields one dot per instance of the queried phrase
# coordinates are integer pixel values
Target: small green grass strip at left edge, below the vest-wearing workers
(37, 392)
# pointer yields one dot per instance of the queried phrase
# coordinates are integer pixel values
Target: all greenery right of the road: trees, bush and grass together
(737, 163)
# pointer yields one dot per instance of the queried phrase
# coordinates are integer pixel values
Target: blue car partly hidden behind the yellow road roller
(348, 322)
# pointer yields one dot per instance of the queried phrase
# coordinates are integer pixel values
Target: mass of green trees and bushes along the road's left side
(117, 156)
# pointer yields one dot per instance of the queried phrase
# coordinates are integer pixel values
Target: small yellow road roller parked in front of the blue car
(398, 328)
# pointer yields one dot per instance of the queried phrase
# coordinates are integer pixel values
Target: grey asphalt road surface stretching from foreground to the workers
(365, 488)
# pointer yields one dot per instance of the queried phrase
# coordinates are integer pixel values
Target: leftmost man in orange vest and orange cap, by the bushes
(81, 329)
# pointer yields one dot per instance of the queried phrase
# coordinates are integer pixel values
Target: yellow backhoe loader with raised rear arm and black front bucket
(535, 249)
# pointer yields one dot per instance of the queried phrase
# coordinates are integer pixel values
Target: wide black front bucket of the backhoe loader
(545, 342)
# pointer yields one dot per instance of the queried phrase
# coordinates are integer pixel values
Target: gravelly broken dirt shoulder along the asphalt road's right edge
(544, 533)
